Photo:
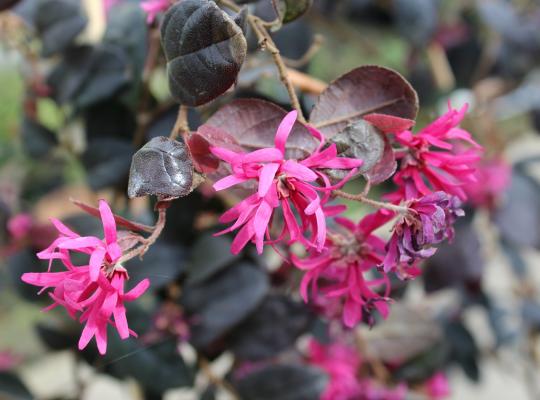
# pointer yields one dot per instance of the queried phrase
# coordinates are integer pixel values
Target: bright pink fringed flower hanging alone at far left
(95, 291)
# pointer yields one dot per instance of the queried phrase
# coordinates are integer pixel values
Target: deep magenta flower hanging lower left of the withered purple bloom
(347, 257)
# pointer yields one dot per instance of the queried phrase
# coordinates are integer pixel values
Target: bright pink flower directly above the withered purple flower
(433, 160)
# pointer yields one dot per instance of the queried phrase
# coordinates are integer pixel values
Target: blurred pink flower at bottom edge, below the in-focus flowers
(341, 363)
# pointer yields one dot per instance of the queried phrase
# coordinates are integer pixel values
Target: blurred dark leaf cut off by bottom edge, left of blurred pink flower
(283, 382)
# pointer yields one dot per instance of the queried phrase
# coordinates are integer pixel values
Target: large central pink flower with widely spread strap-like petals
(282, 183)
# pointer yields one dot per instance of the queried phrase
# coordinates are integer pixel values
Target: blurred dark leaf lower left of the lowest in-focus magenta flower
(272, 328)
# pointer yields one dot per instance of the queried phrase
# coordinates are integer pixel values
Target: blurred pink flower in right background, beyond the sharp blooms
(493, 178)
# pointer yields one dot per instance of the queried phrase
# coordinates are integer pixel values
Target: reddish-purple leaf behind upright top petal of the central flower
(253, 124)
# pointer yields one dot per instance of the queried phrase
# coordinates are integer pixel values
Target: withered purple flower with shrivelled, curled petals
(429, 221)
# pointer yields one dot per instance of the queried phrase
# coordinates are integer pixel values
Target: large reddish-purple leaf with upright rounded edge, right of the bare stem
(365, 90)
